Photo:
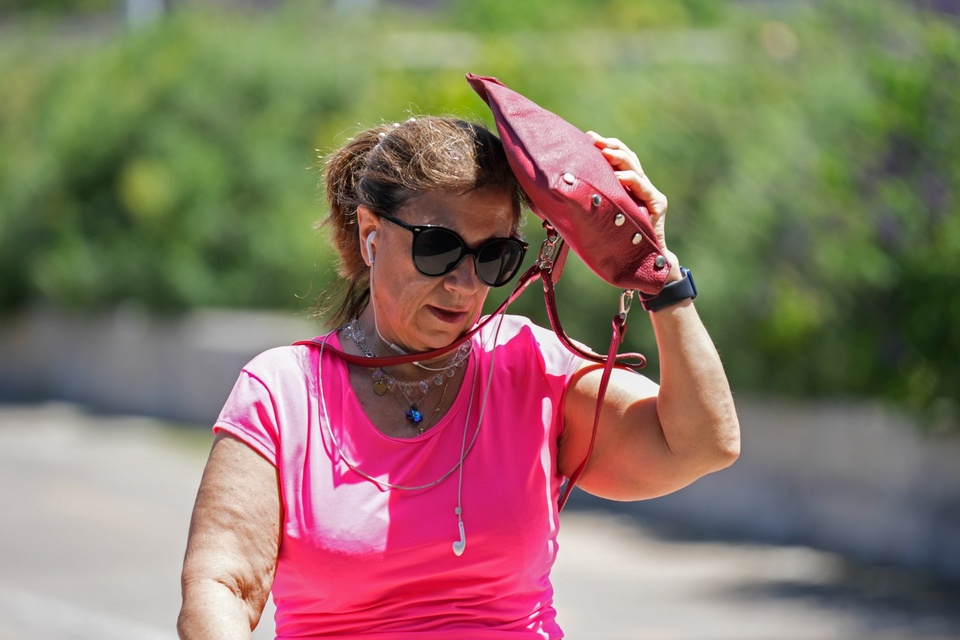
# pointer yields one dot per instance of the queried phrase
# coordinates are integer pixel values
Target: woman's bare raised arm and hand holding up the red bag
(653, 439)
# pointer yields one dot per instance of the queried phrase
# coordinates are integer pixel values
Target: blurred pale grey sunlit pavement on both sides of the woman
(93, 521)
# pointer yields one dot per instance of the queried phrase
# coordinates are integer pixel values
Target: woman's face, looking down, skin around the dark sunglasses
(419, 312)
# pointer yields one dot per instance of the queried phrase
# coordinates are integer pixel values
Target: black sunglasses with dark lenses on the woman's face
(437, 251)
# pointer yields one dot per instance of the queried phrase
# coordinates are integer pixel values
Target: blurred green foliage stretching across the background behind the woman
(810, 154)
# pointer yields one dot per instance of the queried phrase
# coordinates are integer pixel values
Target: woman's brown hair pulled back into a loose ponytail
(384, 168)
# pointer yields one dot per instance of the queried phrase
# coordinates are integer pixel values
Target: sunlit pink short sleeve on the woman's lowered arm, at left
(250, 414)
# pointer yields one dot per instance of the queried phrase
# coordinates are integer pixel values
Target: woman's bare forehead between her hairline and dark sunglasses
(480, 213)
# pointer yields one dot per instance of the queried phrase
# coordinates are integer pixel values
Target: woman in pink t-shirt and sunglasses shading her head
(420, 500)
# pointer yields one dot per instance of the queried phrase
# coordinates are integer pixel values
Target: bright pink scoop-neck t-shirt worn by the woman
(359, 559)
